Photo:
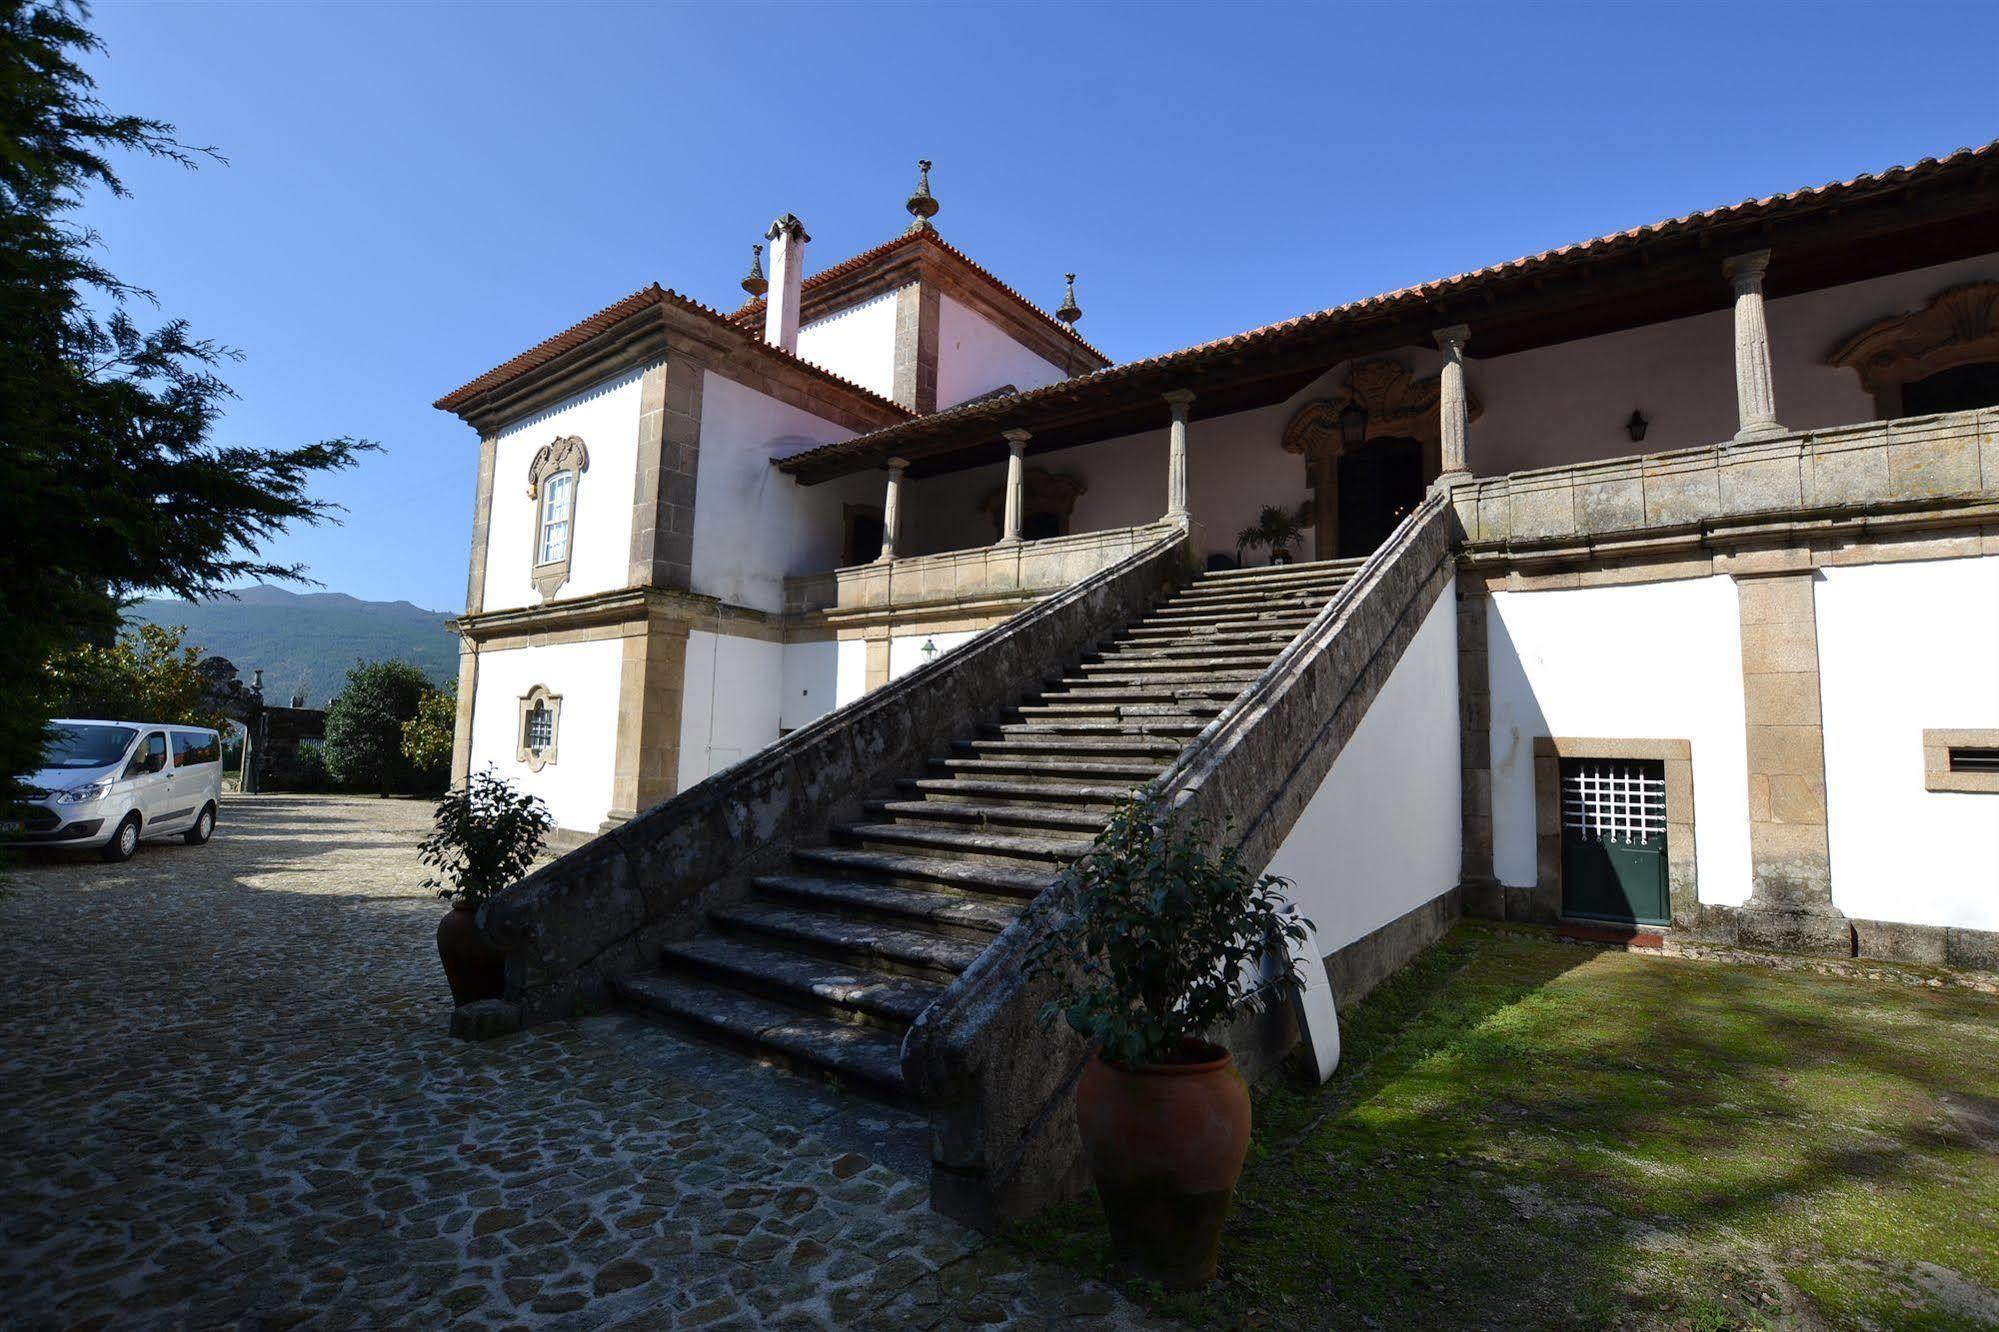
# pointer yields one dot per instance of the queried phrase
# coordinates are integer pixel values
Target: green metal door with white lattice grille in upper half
(1614, 841)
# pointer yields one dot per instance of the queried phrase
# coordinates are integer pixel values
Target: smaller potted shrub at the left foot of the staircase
(485, 837)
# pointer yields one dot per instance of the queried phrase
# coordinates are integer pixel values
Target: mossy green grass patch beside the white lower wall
(1530, 1133)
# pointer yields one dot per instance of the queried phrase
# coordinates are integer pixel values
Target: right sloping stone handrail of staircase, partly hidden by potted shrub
(995, 1079)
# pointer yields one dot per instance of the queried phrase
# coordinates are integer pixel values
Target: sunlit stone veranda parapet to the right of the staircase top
(1916, 465)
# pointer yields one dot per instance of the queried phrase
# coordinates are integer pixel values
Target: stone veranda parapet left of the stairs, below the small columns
(999, 571)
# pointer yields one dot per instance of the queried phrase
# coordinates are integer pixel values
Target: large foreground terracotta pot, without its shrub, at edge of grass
(1166, 1145)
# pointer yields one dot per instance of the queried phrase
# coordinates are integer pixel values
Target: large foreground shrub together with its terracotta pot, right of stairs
(1160, 947)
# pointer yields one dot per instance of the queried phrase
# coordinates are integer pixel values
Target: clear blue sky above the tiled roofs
(419, 193)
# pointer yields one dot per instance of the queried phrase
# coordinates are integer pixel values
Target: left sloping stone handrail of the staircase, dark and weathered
(607, 909)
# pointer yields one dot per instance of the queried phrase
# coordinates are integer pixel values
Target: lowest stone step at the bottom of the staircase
(849, 1053)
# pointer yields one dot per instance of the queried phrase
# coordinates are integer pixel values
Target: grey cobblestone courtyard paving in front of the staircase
(229, 1099)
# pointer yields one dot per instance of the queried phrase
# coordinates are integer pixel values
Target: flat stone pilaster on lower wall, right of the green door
(1790, 861)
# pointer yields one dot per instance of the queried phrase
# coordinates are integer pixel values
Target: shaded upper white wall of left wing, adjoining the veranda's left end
(755, 525)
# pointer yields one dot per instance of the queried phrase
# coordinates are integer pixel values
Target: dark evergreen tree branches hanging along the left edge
(113, 481)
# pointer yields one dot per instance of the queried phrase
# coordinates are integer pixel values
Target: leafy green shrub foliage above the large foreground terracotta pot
(1162, 937)
